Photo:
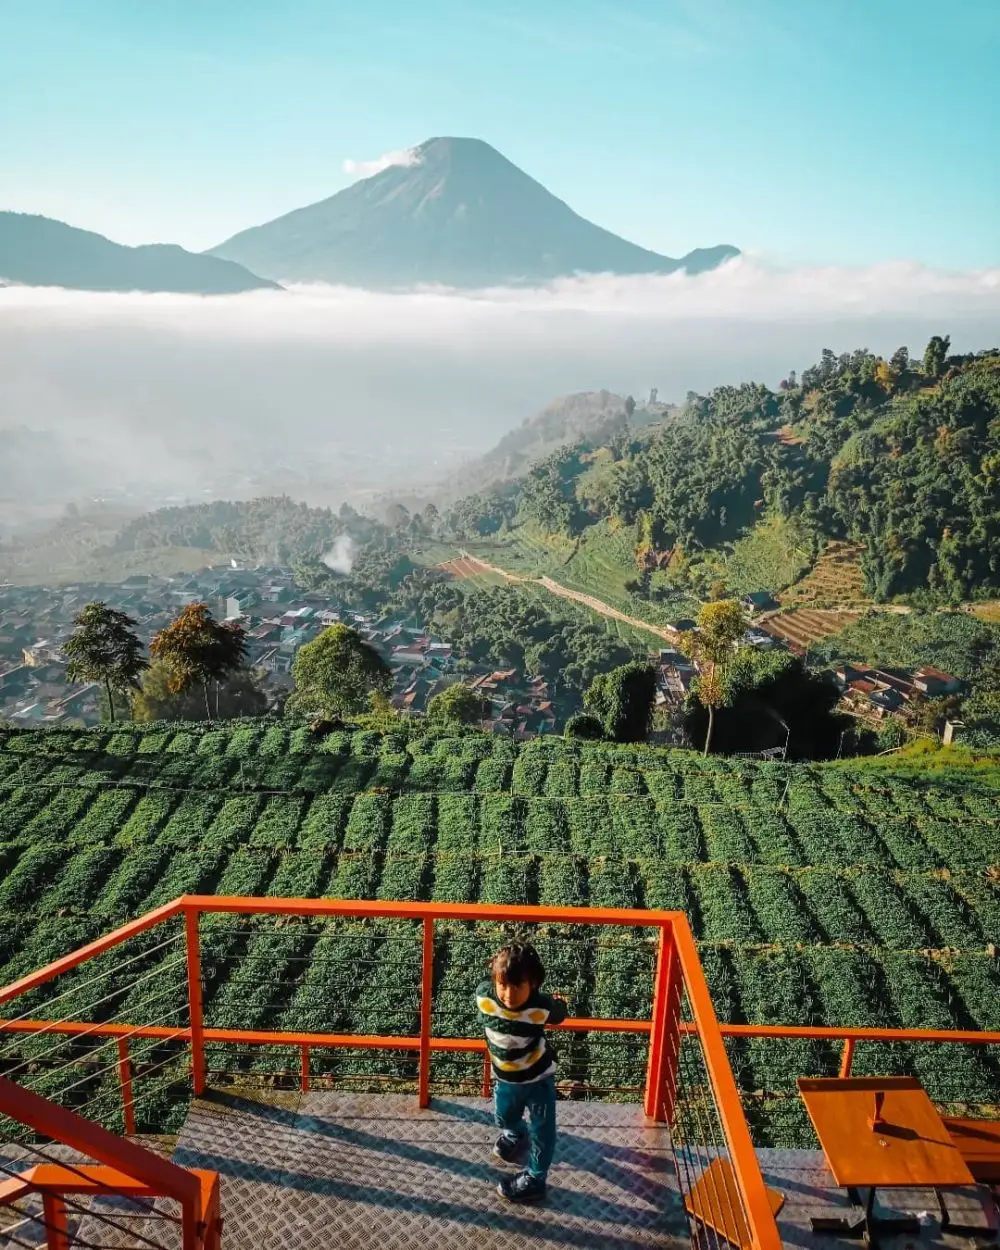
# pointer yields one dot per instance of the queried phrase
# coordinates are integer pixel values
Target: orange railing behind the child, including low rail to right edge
(682, 1023)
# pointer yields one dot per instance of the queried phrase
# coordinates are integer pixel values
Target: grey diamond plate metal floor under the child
(349, 1171)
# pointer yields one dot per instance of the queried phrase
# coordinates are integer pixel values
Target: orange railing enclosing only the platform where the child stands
(682, 1008)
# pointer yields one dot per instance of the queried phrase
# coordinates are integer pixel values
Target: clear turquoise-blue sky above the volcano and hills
(811, 132)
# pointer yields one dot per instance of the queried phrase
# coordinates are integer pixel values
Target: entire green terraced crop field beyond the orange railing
(819, 894)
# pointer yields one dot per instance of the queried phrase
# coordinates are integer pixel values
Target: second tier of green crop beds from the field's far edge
(632, 827)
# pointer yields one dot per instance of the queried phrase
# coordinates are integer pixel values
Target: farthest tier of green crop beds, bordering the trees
(277, 758)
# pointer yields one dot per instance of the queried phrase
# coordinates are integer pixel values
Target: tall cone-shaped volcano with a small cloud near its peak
(462, 214)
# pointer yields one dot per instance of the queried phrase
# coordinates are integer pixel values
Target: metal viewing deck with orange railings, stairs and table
(106, 1047)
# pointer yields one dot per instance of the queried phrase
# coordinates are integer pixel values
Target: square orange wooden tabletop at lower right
(913, 1148)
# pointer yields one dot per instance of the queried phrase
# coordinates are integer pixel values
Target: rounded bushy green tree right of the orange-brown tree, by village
(337, 673)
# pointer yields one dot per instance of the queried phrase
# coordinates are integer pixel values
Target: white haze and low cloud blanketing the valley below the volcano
(333, 394)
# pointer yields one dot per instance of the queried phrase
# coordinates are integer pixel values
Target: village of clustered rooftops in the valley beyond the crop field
(36, 622)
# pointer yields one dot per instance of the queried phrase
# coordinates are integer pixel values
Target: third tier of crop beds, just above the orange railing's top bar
(758, 906)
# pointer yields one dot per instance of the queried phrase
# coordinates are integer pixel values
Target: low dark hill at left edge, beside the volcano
(39, 252)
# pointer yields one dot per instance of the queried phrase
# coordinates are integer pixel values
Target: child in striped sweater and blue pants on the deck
(514, 1014)
